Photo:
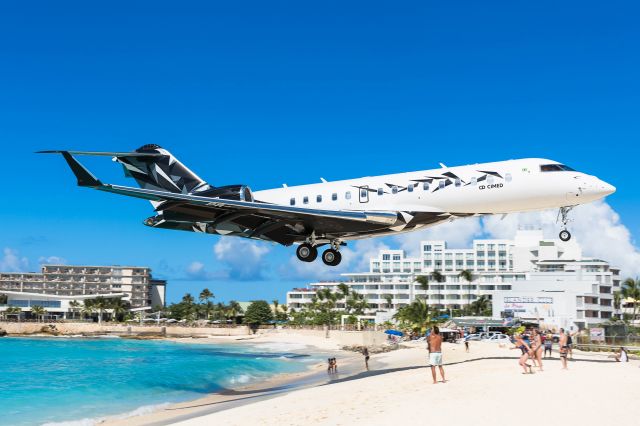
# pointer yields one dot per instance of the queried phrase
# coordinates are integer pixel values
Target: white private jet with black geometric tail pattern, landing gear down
(330, 213)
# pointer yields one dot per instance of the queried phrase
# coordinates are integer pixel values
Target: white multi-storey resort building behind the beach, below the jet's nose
(529, 277)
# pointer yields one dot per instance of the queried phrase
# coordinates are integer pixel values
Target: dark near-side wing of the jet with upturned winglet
(253, 219)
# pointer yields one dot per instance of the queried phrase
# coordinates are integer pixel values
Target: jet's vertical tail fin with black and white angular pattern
(160, 171)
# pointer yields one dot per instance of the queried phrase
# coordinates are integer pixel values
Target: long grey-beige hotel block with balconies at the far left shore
(56, 286)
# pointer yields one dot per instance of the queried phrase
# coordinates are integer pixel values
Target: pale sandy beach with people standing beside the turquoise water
(484, 387)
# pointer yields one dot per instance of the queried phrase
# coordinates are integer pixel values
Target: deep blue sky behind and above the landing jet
(265, 93)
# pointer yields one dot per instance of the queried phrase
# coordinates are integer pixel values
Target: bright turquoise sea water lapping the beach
(79, 380)
